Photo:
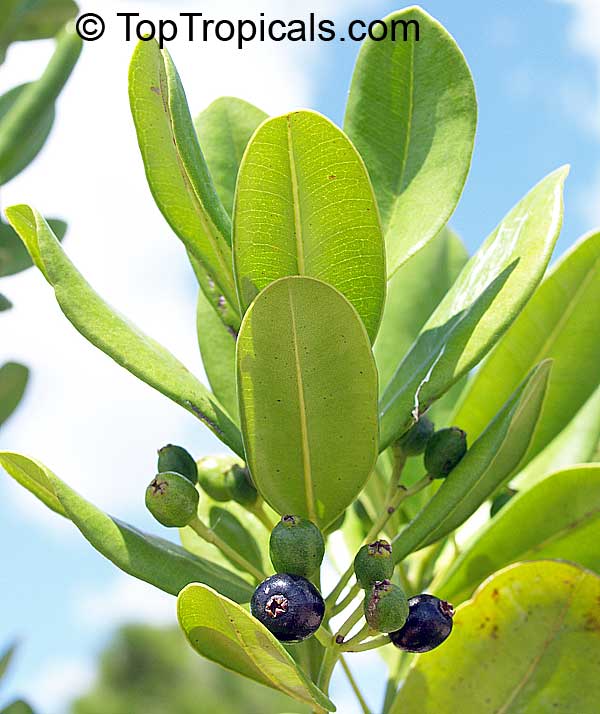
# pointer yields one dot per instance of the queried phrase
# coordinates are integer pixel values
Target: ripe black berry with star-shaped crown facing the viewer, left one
(289, 606)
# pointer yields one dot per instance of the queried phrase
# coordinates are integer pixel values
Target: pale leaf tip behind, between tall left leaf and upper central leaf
(224, 129)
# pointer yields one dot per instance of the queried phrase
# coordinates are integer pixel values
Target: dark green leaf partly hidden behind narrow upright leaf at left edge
(23, 153)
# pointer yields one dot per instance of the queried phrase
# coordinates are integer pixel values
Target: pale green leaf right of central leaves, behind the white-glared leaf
(412, 295)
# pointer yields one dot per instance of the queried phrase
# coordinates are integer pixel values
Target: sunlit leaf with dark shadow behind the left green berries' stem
(237, 527)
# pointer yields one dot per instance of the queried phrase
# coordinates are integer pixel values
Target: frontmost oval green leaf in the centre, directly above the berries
(307, 386)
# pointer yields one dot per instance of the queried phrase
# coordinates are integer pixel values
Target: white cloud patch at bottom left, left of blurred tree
(57, 684)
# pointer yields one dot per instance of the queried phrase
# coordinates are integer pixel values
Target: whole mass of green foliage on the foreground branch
(339, 319)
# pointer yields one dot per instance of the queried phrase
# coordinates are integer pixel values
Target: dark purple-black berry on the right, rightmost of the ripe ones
(428, 624)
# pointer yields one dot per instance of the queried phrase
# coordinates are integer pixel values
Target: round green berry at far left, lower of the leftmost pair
(172, 500)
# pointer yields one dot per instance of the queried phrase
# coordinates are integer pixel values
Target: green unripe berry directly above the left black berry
(296, 546)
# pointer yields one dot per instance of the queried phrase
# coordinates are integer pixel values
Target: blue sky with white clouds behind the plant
(536, 73)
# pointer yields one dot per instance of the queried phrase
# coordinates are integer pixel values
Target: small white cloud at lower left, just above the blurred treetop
(124, 600)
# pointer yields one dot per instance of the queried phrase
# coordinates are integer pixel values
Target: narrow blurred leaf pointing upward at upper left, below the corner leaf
(27, 112)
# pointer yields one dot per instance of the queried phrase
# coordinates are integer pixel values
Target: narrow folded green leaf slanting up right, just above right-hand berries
(488, 463)
